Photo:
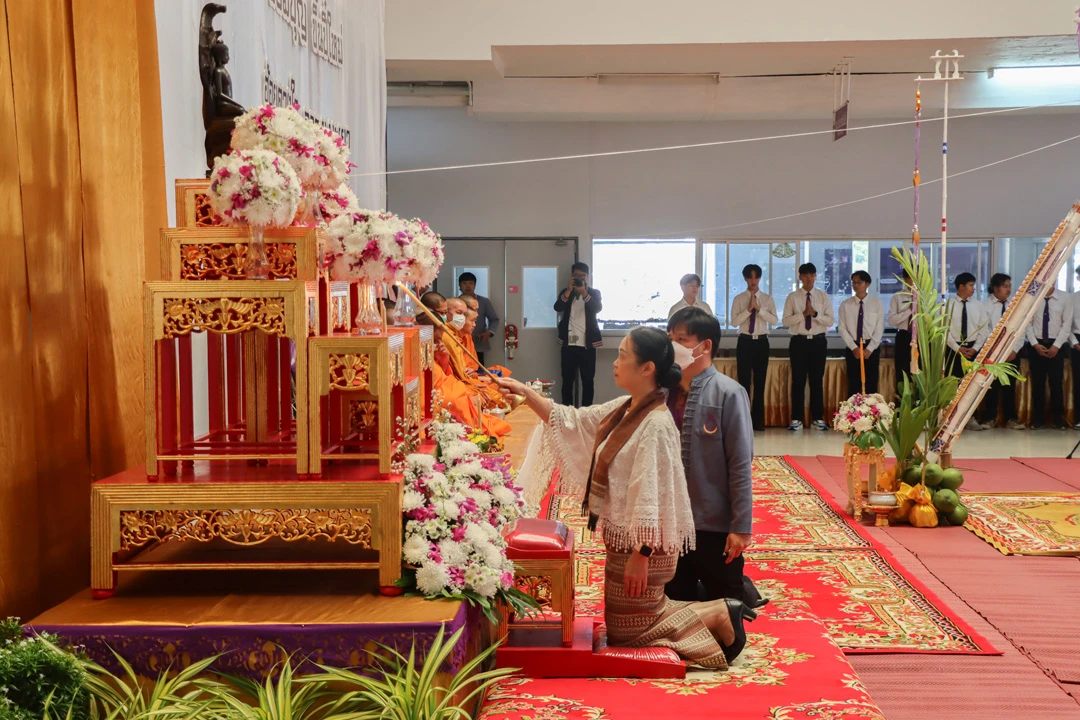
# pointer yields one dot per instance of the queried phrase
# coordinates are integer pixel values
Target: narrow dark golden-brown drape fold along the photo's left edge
(19, 491)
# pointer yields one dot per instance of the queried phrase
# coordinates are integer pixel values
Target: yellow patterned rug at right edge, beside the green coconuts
(1036, 524)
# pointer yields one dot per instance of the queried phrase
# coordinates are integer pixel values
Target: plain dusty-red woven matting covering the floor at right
(1029, 600)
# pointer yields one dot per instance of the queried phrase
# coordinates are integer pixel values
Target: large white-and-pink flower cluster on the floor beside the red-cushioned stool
(456, 506)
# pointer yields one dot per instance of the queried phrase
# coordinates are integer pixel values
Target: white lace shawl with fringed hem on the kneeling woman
(647, 499)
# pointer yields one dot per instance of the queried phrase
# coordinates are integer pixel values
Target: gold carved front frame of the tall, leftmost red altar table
(225, 307)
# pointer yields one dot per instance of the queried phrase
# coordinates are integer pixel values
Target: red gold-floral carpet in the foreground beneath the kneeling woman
(790, 671)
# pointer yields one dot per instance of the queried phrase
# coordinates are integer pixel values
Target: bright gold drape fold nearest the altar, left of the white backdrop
(116, 230)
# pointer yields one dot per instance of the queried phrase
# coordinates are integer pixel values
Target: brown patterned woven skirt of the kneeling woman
(653, 620)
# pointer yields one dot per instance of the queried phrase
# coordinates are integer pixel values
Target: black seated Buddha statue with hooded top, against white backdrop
(220, 111)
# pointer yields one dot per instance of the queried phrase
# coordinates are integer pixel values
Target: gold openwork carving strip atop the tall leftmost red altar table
(225, 316)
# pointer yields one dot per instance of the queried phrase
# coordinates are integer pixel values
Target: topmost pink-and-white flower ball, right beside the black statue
(288, 133)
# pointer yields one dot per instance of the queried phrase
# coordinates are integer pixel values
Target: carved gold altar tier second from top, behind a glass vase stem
(293, 253)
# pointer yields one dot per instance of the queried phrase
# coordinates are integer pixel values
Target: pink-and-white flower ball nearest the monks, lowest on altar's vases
(382, 248)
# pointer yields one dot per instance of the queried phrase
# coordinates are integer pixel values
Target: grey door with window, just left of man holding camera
(537, 271)
